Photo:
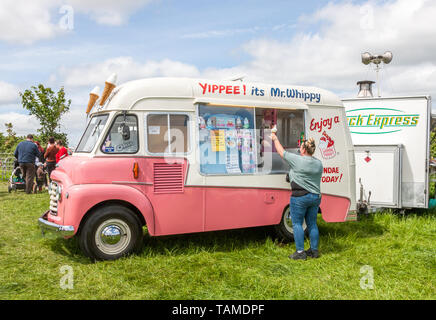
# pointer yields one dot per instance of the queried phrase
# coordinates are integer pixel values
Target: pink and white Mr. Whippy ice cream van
(191, 155)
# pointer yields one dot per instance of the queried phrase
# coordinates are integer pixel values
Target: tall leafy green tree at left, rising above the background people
(48, 107)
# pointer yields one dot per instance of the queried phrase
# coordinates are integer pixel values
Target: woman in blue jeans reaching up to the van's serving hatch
(305, 176)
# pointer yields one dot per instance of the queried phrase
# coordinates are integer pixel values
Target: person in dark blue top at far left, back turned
(26, 153)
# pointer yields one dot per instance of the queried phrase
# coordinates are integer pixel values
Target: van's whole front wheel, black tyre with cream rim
(111, 232)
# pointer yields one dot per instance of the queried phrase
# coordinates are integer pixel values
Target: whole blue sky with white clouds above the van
(300, 42)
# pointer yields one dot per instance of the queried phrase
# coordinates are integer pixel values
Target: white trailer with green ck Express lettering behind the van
(391, 137)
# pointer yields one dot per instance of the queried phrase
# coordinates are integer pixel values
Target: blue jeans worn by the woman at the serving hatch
(305, 208)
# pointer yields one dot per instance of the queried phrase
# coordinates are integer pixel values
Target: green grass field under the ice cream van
(236, 264)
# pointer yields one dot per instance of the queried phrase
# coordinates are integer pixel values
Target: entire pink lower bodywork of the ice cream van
(171, 207)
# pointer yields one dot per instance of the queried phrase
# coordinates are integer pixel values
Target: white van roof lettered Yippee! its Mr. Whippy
(137, 95)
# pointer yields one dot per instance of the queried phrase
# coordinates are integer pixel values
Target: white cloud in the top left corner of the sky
(25, 22)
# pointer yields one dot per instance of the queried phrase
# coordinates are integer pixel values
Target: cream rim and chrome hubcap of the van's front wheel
(113, 236)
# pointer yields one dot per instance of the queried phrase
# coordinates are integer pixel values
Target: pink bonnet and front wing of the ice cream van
(91, 181)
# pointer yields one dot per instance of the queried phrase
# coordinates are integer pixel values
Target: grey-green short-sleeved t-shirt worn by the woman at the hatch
(305, 171)
